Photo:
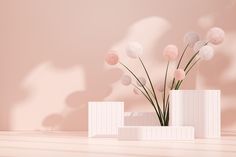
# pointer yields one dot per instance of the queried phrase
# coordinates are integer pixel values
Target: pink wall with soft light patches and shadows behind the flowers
(51, 55)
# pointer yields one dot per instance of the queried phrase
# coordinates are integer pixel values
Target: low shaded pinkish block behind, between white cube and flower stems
(141, 119)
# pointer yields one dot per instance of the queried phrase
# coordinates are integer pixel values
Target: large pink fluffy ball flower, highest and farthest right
(215, 35)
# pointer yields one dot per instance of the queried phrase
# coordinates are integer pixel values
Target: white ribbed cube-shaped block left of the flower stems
(104, 118)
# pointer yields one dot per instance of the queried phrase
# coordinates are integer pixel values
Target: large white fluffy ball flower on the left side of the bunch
(134, 49)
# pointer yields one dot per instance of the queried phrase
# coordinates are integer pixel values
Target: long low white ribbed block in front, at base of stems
(156, 133)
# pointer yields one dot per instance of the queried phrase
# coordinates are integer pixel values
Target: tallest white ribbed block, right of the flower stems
(197, 108)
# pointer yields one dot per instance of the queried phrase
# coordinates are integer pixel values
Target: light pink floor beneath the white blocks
(58, 144)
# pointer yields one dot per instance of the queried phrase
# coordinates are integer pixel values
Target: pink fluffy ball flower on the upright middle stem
(170, 52)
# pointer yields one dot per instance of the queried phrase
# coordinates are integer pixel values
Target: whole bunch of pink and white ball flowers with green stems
(202, 51)
